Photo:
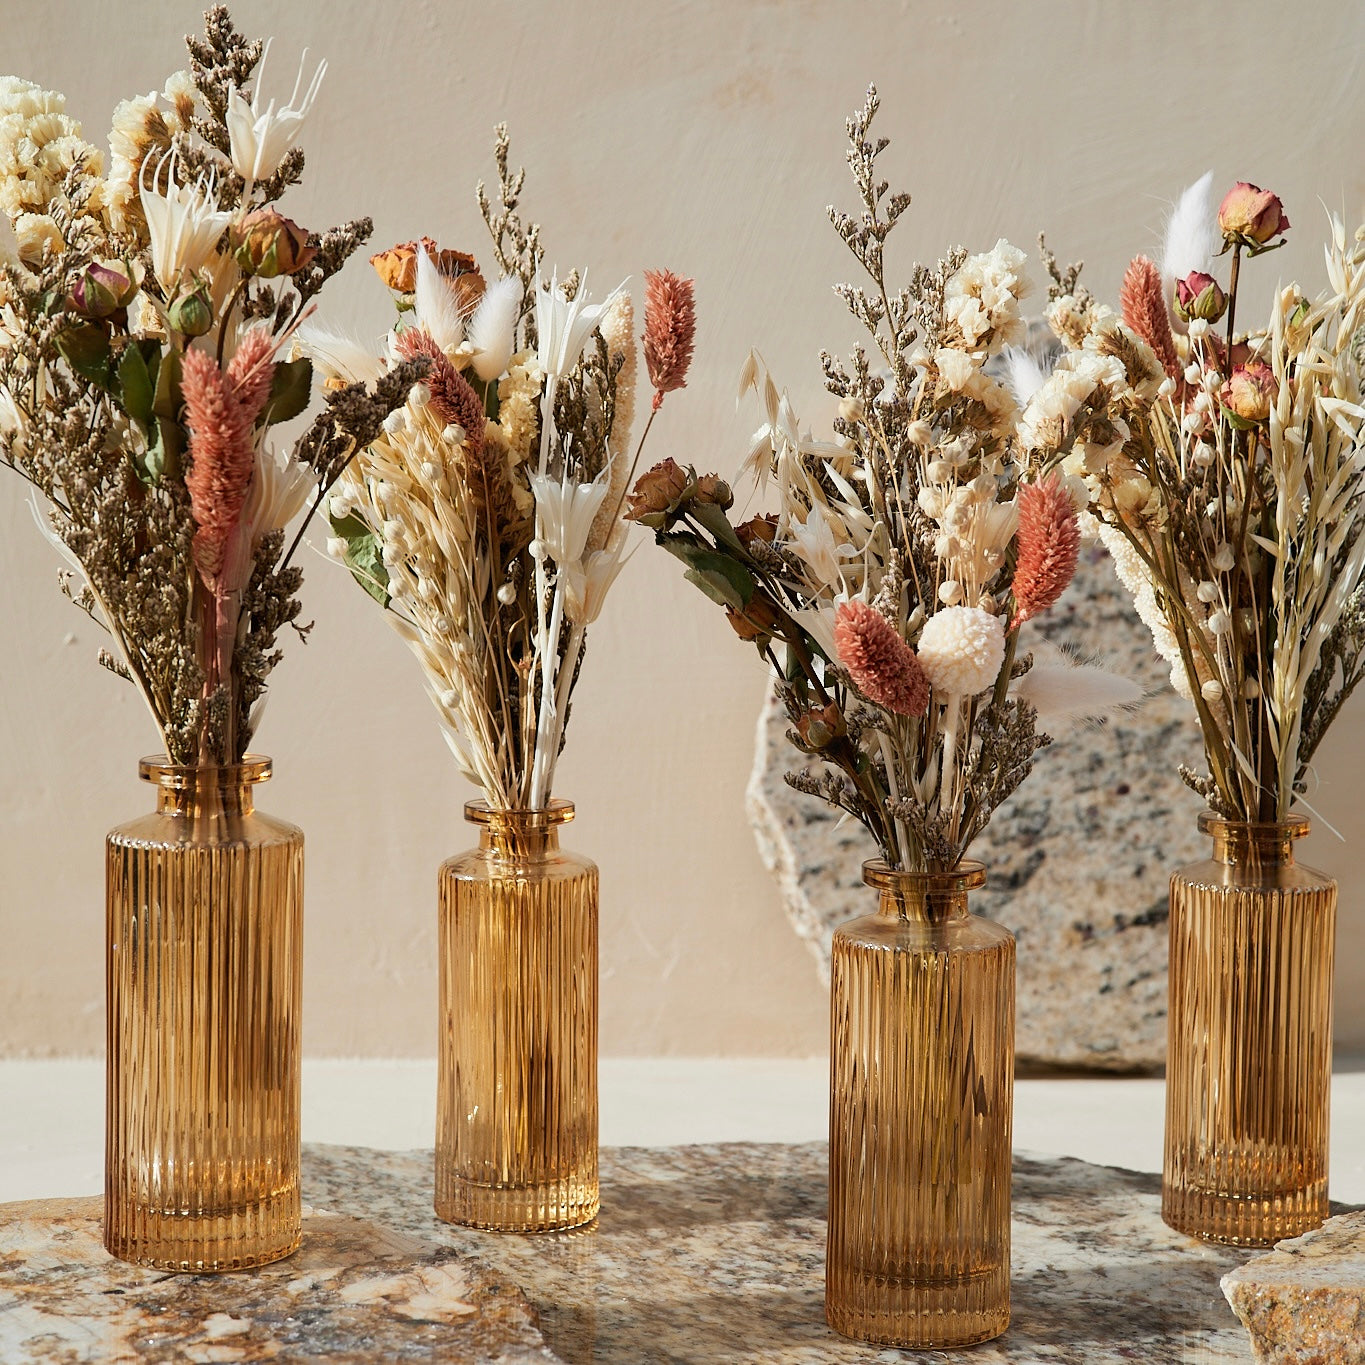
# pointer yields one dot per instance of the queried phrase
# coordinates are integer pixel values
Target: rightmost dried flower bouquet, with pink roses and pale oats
(1233, 496)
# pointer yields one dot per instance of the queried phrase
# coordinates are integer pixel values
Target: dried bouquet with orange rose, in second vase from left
(487, 515)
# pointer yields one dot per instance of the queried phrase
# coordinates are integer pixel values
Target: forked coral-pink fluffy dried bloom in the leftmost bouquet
(220, 413)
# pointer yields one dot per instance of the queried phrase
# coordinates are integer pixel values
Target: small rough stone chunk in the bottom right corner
(1304, 1303)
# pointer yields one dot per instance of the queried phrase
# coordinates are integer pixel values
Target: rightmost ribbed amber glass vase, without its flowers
(1250, 1050)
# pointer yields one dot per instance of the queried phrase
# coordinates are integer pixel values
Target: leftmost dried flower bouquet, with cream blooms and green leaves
(143, 315)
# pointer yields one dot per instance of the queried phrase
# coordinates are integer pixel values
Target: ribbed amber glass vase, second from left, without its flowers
(517, 1093)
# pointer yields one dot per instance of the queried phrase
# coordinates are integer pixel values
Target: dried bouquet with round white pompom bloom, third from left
(906, 555)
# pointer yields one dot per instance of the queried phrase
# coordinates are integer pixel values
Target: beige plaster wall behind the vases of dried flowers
(706, 137)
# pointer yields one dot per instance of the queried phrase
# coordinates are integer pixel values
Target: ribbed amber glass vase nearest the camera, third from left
(922, 1080)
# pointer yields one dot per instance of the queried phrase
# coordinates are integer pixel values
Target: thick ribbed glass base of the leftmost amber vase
(241, 1240)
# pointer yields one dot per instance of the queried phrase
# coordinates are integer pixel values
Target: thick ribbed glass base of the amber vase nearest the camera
(921, 1314)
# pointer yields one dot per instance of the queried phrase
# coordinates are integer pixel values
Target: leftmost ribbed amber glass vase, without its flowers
(204, 975)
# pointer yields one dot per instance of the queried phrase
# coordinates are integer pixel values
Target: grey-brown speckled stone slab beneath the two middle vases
(716, 1256)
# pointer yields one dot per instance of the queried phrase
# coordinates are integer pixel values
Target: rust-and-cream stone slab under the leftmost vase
(357, 1293)
